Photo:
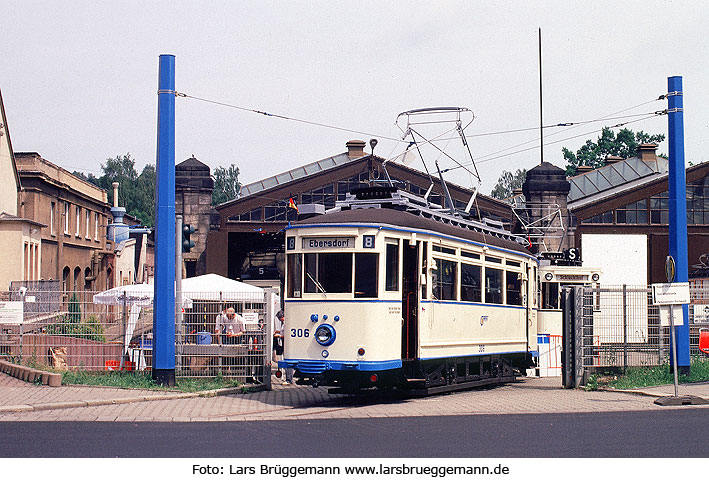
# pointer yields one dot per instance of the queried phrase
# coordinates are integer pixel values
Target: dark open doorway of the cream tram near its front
(410, 298)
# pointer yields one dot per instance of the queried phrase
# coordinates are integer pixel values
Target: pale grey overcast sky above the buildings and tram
(79, 79)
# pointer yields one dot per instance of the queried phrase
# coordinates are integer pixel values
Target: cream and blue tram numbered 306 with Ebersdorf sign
(383, 296)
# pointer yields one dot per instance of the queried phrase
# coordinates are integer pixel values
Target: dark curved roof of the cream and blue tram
(398, 218)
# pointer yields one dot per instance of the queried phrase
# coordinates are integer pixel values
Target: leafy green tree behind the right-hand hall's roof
(624, 144)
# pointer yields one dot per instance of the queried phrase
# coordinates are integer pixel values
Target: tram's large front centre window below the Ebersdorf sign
(328, 272)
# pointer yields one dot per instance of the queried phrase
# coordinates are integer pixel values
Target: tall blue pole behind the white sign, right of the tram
(678, 208)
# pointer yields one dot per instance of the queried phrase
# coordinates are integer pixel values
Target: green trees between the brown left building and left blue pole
(136, 191)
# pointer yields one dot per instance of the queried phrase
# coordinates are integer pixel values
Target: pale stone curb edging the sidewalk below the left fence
(24, 408)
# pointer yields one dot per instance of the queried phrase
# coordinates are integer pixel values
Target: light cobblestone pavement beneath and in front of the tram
(20, 401)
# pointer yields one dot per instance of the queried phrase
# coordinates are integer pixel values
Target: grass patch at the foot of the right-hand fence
(637, 377)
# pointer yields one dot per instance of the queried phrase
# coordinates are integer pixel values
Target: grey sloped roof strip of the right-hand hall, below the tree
(614, 178)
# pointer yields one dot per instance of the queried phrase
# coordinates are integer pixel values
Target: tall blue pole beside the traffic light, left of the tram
(164, 293)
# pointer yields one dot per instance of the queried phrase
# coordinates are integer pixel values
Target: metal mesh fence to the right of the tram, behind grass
(619, 327)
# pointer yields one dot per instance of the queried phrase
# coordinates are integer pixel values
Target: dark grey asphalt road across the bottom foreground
(666, 433)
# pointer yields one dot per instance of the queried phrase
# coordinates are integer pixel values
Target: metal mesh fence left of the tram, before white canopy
(82, 331)
